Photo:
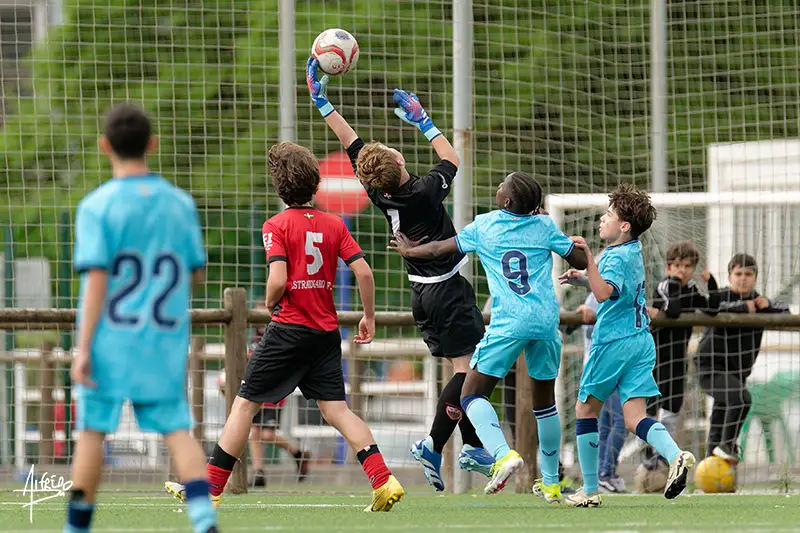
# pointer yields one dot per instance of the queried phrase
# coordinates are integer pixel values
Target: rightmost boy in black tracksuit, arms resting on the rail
(726, 356)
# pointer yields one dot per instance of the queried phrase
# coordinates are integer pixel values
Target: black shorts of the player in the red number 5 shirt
(291, 356)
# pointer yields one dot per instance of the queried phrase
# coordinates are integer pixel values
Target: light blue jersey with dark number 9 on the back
(516, 252)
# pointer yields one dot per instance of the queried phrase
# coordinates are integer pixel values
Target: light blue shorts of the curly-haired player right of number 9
(625, 365)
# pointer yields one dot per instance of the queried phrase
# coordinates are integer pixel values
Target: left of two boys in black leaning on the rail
(675, 295)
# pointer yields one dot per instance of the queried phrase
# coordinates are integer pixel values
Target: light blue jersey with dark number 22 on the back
(145, 233)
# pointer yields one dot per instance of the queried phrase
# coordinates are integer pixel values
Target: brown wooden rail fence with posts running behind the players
(236, 318)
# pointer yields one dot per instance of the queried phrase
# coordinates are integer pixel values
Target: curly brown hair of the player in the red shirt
(294, 171)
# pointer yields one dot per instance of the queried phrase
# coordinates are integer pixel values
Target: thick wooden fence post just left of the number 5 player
(235, 362)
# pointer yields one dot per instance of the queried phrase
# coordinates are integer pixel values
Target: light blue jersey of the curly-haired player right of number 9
(625, 313)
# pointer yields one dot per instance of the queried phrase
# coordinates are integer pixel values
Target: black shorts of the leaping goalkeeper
(446, 313)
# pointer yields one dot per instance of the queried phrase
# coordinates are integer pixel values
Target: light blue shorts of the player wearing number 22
(100, 414)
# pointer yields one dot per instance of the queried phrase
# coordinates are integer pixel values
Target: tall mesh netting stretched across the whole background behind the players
(561, 90)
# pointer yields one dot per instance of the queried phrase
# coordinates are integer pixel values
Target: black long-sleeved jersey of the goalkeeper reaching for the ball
(416, 210)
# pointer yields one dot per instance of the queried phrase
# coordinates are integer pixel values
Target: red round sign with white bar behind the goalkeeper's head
(340, 192)
